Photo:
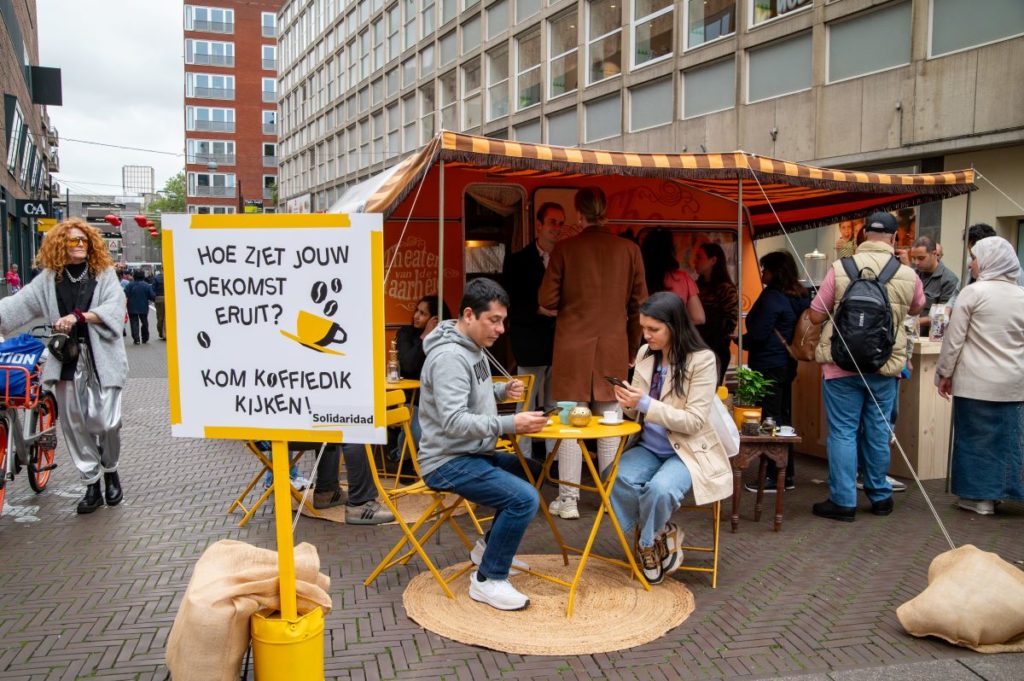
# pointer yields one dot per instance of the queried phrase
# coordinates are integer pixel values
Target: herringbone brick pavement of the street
(96, 597)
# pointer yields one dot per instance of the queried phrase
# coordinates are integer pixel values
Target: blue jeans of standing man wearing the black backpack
(859, 436)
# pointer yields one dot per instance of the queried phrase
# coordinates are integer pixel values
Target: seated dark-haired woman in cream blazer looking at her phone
(672, 392)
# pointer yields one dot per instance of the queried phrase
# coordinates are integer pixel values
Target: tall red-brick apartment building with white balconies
(231, 116)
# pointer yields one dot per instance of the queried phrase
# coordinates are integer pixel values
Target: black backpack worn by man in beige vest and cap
(865, 320)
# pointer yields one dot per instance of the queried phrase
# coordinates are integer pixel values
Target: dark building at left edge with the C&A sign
(28, 145)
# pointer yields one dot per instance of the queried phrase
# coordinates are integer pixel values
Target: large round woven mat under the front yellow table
(611, 612)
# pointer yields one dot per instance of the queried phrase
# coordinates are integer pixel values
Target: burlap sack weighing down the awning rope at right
(974, 600)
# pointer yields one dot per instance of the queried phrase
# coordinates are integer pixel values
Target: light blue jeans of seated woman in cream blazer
(648, 491)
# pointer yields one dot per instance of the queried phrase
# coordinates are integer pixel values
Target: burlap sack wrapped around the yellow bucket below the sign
(232, 581)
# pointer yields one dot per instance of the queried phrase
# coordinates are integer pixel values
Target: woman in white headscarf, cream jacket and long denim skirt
(982, 366)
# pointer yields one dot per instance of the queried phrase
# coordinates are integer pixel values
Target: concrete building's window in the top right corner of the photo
(957, 26)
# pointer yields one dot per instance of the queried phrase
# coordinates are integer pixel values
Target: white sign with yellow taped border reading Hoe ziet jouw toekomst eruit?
(276, 327)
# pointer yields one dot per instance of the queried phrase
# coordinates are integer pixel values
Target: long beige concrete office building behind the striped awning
(923, 86)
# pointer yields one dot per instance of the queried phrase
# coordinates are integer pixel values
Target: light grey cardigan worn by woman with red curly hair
(39, 301)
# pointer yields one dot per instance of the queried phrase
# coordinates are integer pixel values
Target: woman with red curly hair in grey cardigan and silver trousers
(78, 293)
